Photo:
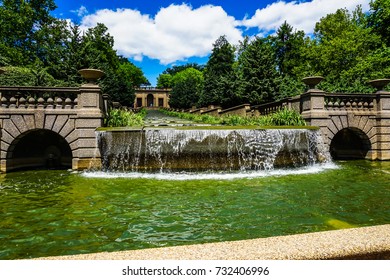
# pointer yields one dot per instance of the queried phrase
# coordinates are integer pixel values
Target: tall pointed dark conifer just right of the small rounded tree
(219, 76)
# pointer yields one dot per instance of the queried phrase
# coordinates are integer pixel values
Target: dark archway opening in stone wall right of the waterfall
(350, 143)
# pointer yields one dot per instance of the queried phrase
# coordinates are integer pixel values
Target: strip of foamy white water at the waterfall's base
(183, 176)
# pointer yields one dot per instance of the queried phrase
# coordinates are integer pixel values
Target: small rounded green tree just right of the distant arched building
(187, 85)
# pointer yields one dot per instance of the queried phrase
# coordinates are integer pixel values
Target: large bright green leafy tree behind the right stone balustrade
(342, 40)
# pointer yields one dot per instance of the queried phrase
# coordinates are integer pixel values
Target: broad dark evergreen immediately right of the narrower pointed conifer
(258, 78)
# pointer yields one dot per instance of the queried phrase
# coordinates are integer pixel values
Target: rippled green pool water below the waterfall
(48, 213)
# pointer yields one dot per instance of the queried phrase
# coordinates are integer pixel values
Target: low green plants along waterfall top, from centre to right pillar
(283, 117)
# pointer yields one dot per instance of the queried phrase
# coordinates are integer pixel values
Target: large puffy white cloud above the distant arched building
(175, 33)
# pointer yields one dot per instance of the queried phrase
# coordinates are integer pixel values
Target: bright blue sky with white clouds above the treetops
(155, 35)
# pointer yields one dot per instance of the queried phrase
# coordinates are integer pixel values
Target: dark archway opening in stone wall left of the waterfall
(40, 149)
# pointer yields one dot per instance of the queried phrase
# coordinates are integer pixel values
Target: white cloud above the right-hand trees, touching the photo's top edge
(301, 15)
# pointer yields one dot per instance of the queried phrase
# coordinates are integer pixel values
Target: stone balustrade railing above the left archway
(38, 97)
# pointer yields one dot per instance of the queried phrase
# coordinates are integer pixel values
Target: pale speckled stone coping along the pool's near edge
(356, 243)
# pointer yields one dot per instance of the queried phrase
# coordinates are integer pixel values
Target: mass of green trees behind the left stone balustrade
(51, 51)
